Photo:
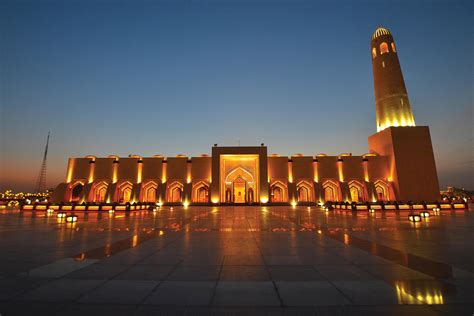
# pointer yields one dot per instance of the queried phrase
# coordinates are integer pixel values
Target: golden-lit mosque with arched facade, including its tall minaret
(399, 165)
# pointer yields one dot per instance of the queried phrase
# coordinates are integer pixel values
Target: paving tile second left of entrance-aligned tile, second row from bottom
(120, 292)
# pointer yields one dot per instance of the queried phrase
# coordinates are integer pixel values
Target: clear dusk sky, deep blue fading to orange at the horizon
(175, 77)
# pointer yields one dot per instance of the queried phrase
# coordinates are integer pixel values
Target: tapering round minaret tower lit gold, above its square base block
(391, 98)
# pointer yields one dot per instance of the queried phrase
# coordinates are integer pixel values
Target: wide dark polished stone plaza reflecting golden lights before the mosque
(237, 260)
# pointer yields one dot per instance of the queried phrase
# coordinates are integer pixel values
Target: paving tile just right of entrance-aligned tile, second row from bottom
(311, 293)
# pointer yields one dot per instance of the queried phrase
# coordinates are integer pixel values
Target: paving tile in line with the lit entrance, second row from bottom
(245, 294)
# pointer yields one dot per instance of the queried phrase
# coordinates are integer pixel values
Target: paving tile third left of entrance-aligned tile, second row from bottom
(60, 290)
